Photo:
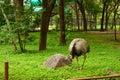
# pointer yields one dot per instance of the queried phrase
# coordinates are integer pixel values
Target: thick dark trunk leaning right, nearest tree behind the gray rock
(47, 6)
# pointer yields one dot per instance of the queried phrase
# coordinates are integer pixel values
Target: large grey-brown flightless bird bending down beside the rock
(78, 47)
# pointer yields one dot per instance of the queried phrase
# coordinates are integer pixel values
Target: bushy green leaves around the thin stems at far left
(29, 21)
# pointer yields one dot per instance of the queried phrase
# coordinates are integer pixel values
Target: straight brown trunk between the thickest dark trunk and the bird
(62, 24)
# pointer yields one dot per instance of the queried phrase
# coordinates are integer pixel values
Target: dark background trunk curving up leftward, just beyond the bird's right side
(81, 7)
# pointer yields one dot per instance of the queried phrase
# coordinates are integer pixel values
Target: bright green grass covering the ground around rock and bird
(104, 53)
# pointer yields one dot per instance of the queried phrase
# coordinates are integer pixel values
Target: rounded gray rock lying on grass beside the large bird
(57, 60)
